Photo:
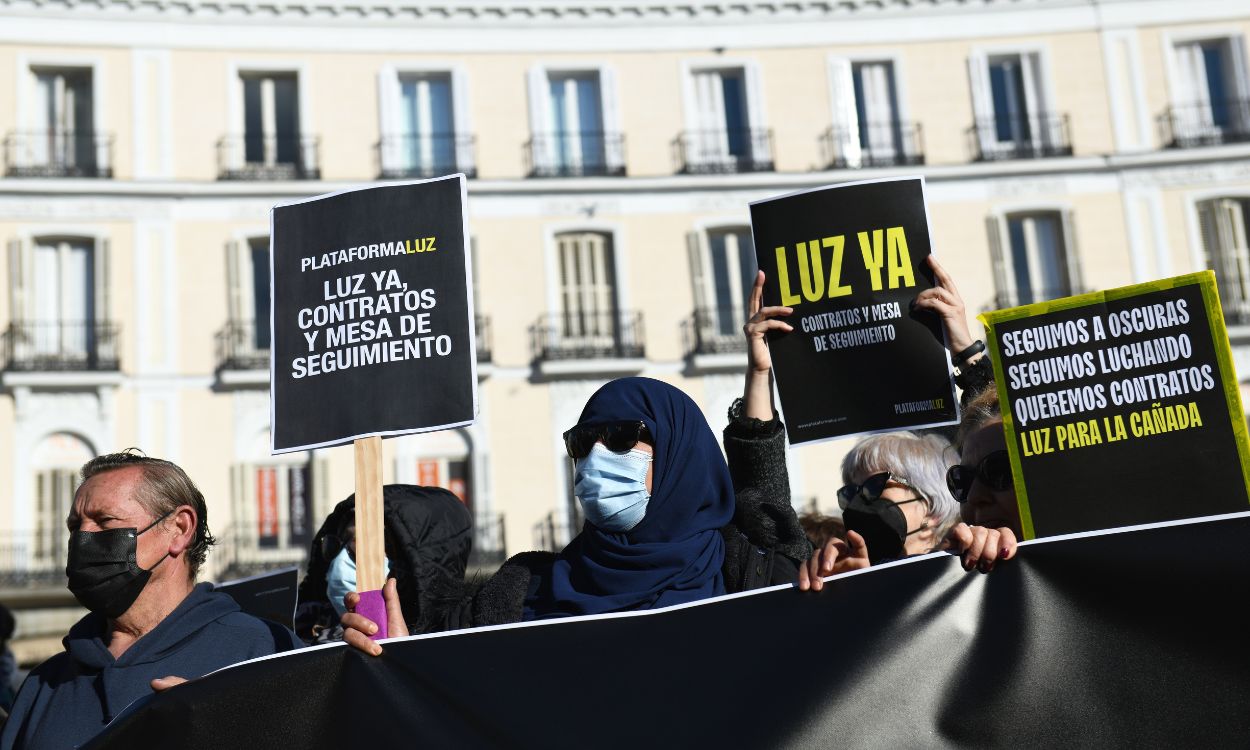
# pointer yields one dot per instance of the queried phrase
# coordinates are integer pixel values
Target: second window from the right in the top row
(1016, 118)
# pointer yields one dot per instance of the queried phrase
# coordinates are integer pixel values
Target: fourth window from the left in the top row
(574, 124)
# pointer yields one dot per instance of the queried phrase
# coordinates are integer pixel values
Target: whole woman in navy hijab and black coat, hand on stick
(664, 526)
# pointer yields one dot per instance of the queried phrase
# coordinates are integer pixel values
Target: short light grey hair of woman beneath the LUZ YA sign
(921, 459)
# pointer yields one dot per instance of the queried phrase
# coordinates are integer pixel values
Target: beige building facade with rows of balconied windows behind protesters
(613, 149)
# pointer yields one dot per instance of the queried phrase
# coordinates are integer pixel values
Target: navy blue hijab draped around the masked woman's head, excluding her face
(676, 553)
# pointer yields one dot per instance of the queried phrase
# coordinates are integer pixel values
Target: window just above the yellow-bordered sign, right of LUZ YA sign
(1033, 258)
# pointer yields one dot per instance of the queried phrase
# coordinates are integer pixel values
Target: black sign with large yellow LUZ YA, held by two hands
(851, 259)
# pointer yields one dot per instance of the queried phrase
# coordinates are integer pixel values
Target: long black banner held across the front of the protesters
(1126, 639)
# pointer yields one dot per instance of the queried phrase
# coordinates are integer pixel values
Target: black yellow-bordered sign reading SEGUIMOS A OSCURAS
(1122, 408)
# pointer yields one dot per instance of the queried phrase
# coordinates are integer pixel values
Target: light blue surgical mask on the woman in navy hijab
(613, 488)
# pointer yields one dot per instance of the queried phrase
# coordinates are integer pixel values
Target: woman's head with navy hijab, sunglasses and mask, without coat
(656, 493)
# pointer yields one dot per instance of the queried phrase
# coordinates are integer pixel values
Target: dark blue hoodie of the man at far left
(71, 698)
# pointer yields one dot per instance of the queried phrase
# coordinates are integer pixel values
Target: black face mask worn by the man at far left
(103, 571)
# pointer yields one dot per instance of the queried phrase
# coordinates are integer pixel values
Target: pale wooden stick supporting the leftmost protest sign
(371, 533)
